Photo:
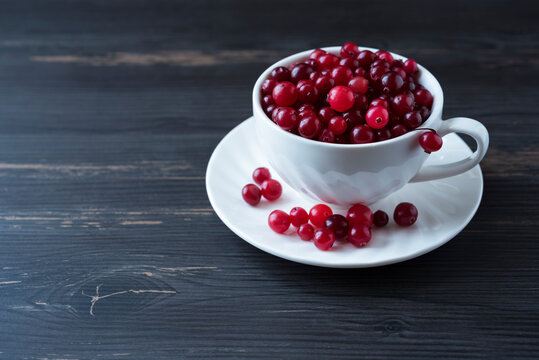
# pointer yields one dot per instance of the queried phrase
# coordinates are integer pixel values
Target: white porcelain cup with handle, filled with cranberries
(344, 174)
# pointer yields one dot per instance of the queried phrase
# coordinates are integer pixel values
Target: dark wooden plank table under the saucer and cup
(109, 248)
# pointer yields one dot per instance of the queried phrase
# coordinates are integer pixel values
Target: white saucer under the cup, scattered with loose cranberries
(445, 207)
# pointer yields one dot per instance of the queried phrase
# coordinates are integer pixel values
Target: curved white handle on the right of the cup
(459, 125)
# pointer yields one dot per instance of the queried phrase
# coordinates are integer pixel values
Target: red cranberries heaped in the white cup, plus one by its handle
(355, 98)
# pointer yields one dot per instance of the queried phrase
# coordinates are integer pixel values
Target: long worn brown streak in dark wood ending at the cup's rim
(179, 58)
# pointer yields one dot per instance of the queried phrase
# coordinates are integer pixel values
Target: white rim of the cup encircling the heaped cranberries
(433, 86)
